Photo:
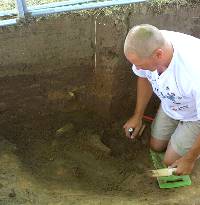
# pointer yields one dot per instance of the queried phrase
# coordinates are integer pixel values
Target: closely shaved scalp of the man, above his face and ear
(143, 40)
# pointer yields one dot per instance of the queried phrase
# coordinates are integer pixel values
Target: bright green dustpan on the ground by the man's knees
(169, 181)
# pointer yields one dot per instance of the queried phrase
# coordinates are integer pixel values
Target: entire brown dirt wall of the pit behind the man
(75, 61)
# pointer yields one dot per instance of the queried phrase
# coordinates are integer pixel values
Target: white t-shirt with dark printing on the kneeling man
(178, 87)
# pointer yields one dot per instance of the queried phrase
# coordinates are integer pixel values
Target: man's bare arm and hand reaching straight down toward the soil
(144, 93)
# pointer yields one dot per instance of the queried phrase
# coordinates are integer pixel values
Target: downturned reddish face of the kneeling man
(149, 63)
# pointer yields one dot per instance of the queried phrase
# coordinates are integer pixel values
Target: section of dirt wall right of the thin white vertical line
(111, 32)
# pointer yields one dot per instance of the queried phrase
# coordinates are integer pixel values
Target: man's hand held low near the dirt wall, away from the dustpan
(134, 122)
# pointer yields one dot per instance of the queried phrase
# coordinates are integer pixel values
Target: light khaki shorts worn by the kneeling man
(180, 134)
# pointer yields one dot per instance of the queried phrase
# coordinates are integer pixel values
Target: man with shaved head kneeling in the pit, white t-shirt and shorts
(168, 64)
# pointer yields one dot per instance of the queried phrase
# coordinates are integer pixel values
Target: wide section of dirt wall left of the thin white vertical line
(45, 67)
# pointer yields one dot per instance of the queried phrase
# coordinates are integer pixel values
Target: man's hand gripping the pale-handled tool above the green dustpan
(184, 166)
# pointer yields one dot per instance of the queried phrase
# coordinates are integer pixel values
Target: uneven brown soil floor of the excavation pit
(64, 159)
